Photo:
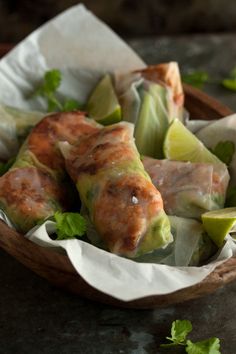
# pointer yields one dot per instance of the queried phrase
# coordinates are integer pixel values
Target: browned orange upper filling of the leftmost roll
(42, 141)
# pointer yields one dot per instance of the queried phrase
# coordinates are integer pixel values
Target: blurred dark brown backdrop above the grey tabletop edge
(128, 17)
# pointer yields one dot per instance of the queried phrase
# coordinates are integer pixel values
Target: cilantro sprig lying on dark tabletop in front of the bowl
(179, 332)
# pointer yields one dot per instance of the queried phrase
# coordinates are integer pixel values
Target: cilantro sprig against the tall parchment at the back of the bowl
(48, 89)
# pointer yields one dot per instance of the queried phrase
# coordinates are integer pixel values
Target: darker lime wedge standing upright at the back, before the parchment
(103, 105)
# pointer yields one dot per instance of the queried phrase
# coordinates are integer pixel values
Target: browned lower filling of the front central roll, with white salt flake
(127, 204)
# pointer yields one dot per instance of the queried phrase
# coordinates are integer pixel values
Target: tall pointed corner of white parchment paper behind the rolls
(77, 43)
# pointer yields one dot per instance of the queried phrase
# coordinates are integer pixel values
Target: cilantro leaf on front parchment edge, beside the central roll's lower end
(69, 225)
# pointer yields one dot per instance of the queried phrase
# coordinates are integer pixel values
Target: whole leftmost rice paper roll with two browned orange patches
(37, 186)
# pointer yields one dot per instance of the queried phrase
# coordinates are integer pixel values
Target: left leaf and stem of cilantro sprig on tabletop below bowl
(179, 331)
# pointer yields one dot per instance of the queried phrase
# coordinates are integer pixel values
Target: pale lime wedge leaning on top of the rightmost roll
(181, 145)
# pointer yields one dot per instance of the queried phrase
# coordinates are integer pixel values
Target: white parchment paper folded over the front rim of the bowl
(122, 278)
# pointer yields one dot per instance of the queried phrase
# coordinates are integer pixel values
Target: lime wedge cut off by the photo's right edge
(218, 223)
